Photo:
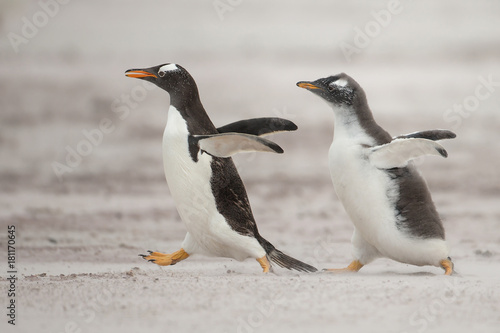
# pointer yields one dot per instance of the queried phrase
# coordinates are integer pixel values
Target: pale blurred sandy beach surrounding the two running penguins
(79, 233)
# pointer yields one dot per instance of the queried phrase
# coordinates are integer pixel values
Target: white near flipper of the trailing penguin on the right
(397, 153)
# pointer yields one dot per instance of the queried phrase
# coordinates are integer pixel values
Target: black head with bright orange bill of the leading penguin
(170, 77)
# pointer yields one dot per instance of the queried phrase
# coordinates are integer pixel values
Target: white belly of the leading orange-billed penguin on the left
(189, 184)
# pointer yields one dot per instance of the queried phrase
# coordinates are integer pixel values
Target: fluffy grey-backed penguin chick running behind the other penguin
(379, 186)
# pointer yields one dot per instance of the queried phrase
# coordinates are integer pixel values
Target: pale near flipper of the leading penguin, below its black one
(228, 144)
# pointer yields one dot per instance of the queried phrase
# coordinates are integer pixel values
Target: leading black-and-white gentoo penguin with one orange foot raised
(208, 192)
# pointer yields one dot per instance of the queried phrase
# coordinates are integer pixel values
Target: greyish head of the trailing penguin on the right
(340, 90)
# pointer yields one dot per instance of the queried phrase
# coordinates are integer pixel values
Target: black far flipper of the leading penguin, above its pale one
(259, 126)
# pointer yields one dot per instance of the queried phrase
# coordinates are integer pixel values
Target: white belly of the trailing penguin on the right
(369, 197)
